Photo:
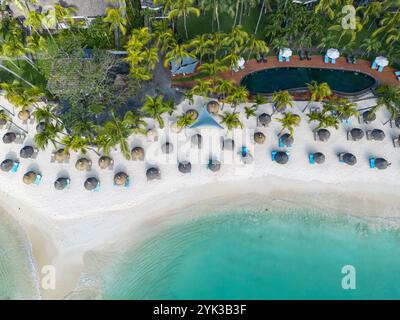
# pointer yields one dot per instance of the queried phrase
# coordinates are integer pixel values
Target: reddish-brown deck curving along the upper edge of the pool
(387, 76)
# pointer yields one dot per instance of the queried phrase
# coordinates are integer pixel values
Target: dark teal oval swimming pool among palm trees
(271, 80)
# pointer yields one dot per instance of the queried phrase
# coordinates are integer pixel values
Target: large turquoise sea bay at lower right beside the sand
(279, 254)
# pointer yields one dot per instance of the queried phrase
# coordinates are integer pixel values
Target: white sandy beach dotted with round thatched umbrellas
(64, 225)
